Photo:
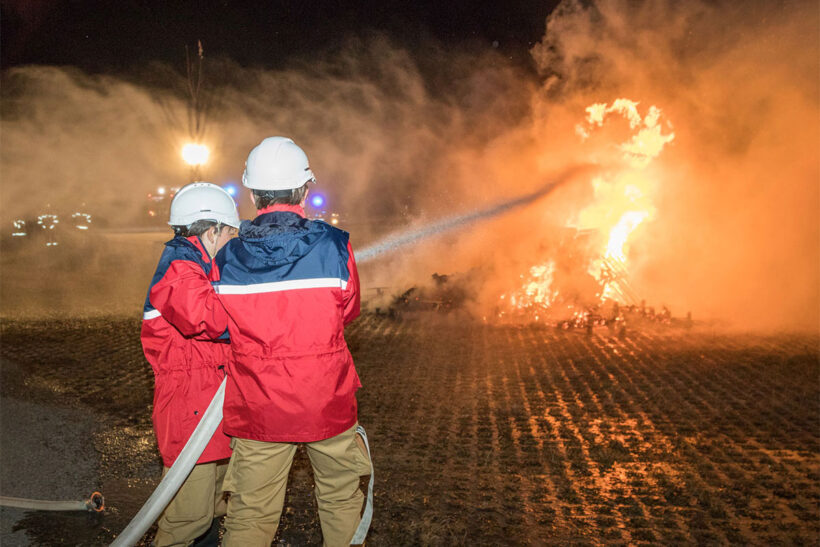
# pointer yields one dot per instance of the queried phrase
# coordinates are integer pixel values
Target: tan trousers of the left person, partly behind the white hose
(197, 503)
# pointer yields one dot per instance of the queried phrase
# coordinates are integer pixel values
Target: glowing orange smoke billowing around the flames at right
(732, 233)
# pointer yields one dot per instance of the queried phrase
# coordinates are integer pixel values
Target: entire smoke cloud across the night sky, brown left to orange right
(401, 139)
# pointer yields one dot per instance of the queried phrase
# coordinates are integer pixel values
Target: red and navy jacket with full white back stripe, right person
(289, 286)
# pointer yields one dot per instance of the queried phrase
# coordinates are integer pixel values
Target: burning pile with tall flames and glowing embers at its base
(589, 270)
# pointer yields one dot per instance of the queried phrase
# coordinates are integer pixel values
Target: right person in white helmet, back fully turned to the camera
(290, 286)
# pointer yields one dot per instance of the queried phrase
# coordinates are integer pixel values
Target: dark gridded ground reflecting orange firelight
(482, 434)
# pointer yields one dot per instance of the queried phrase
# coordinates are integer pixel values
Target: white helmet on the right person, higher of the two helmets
(276, 164)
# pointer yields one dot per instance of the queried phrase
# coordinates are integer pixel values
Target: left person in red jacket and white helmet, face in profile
(183, 322)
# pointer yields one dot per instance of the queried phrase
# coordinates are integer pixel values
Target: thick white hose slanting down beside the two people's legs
(172, 481)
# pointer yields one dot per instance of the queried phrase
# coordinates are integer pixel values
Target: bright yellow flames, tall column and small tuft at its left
(622, 201)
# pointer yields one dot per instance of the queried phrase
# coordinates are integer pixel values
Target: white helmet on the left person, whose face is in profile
(203, 201)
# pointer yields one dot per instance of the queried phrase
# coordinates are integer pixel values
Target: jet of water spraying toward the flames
(395, 241)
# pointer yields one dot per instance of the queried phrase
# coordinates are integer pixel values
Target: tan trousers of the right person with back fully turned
(258, 474)
